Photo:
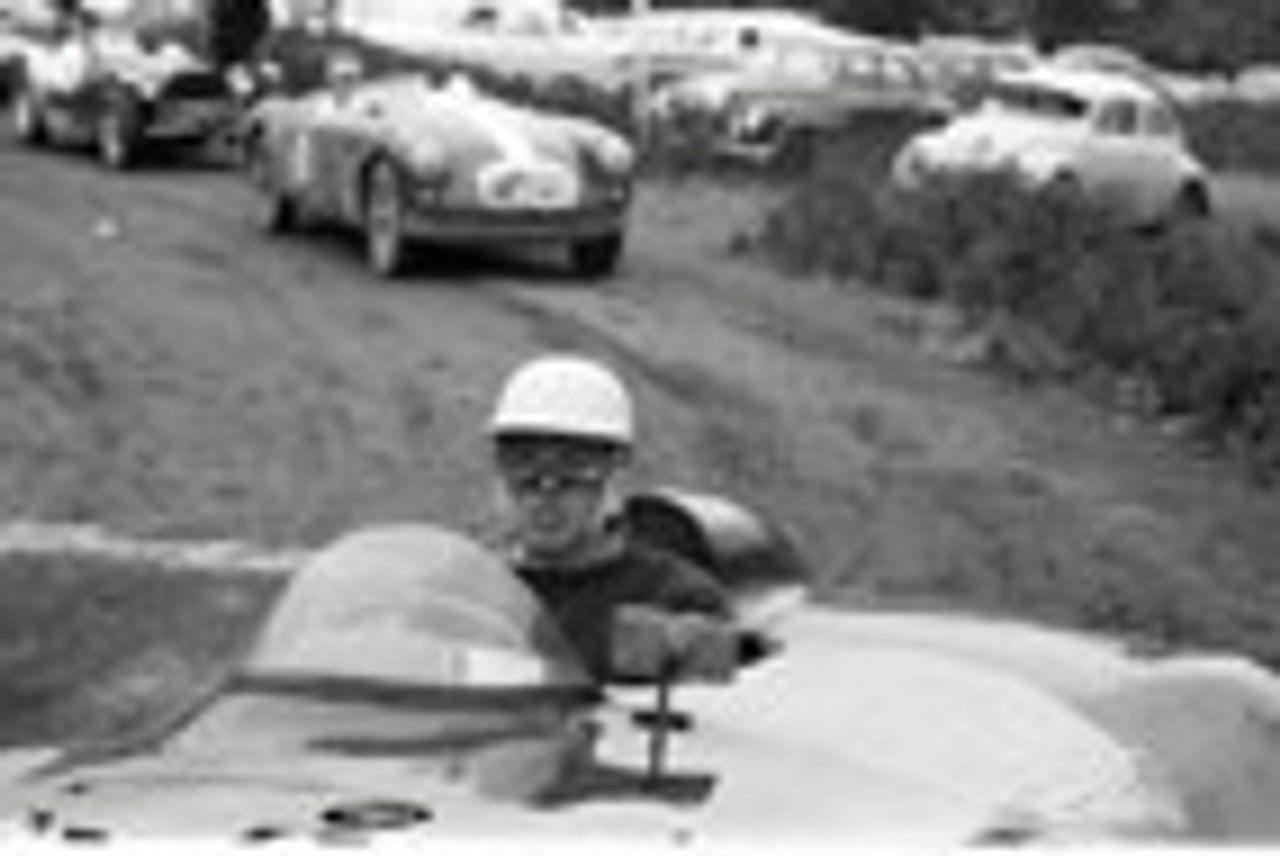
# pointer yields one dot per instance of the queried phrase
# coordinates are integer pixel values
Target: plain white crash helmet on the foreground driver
(565, 396)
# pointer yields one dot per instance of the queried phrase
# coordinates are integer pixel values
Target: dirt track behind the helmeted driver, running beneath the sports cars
(167, 368)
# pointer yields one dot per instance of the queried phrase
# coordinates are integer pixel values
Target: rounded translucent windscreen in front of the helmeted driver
(413, 606)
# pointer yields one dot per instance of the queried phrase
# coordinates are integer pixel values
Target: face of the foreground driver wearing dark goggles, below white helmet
(557, 492)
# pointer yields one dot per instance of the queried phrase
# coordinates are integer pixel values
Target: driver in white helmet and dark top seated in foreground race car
(564, 434)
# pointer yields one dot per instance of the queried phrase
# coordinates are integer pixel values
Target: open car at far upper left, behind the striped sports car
(103, 85)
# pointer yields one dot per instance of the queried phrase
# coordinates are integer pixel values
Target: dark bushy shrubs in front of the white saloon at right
(1058, 286)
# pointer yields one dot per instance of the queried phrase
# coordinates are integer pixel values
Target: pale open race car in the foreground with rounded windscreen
(408, 688)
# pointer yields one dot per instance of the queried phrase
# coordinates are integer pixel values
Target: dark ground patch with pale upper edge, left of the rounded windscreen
(103, 637)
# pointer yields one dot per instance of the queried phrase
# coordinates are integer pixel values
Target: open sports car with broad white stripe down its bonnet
(406, 159)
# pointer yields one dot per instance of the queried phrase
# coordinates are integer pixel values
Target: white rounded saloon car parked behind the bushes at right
(1112, 138)
